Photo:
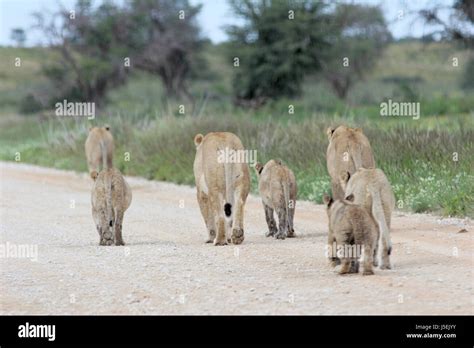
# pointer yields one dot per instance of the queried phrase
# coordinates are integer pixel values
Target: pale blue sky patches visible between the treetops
(214, 15)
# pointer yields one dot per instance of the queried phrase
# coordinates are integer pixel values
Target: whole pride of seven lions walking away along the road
(359, 211)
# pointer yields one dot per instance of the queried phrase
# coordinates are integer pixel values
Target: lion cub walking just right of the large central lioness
(277, 186)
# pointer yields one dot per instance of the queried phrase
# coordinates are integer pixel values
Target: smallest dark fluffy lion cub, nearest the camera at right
(352, 228)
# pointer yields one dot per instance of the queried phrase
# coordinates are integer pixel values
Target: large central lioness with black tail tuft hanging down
(222, 186)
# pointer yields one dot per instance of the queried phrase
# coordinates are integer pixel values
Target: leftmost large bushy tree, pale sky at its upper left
(91, 48)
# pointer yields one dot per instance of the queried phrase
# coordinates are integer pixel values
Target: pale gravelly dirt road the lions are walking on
(166, 268)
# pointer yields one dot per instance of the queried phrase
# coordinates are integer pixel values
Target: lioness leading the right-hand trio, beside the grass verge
(348, 150)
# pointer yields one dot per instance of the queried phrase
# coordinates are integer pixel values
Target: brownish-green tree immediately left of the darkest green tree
(168, 41)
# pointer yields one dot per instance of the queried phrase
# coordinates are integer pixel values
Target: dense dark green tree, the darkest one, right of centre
(277, 45)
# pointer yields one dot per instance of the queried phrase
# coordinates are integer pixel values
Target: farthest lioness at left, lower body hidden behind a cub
(99, 148)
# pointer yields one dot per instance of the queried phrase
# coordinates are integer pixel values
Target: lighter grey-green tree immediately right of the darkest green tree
(358, 35)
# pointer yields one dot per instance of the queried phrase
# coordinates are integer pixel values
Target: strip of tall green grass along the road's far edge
(417, 157)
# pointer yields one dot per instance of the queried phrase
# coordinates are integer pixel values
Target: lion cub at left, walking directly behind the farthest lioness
(111, 196)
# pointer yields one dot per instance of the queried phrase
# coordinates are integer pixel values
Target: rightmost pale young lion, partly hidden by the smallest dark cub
(371, 189)
